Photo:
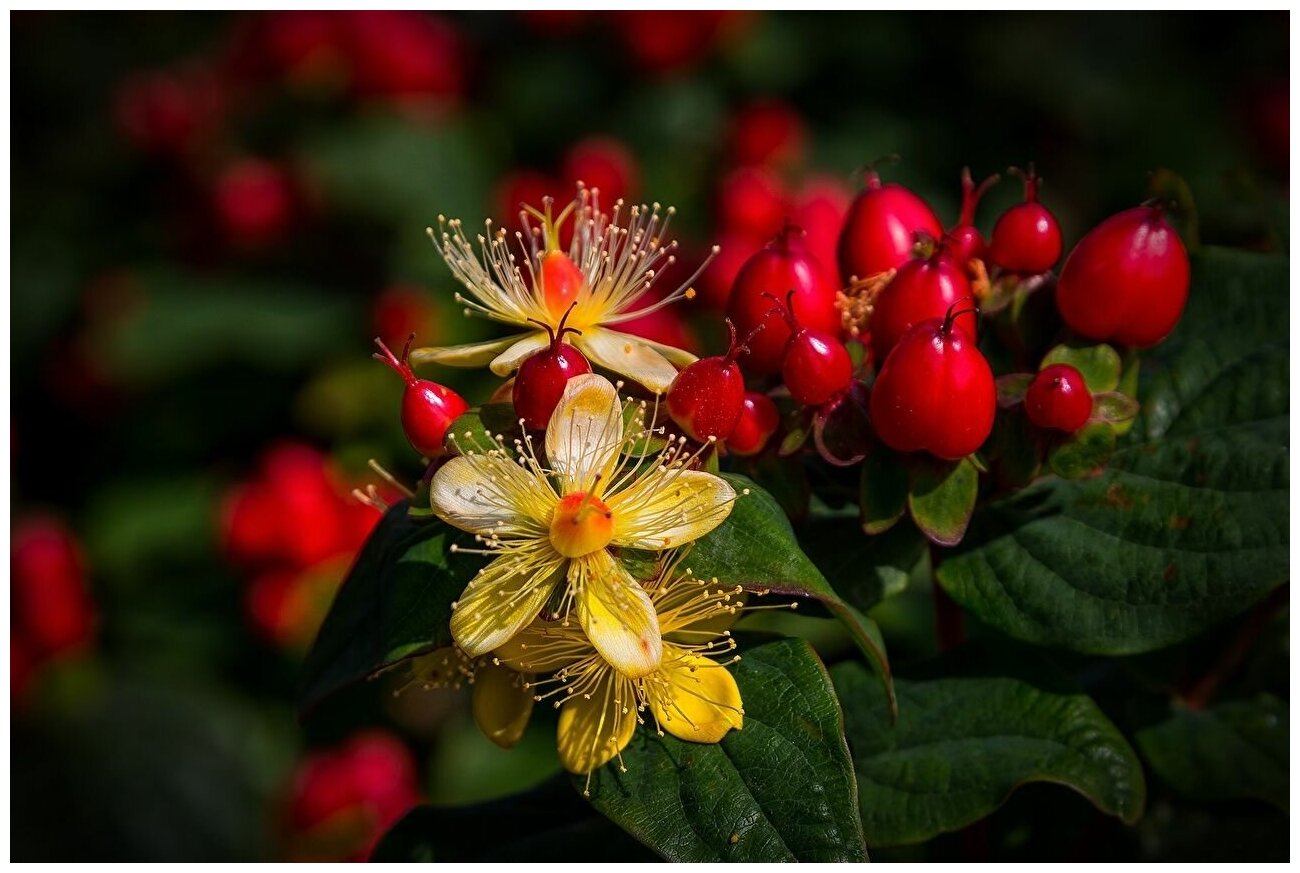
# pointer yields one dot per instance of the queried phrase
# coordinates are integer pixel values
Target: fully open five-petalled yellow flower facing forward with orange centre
(549, 528)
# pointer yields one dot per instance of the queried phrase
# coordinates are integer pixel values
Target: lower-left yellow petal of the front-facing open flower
(505, 597)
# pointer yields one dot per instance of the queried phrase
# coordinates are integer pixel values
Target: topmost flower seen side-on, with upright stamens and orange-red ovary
(608, 268)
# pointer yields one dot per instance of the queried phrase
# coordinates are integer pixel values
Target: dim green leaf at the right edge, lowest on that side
(1233, 750)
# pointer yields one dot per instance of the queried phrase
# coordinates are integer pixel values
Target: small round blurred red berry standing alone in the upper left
(254, 203)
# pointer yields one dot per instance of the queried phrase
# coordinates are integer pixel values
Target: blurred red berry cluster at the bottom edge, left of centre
(343, 800)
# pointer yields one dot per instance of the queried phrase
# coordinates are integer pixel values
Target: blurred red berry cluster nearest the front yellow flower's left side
(296, 529)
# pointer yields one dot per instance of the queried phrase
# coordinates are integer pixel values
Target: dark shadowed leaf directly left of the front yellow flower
(395, 603)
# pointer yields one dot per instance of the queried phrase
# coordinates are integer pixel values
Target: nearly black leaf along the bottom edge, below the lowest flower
(551, 823)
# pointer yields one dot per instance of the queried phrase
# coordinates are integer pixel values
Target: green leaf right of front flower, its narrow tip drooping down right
(756, 549)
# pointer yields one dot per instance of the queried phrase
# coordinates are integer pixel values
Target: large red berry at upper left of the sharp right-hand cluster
(787, 271)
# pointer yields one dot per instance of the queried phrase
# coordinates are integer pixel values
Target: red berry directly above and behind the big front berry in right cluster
(924, 289)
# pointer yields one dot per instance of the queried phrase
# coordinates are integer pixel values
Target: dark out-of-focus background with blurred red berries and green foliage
(213, 218)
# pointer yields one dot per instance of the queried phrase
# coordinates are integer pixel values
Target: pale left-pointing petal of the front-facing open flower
(488, 494)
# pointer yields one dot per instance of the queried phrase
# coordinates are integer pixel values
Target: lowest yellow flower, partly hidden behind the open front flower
(688, 694)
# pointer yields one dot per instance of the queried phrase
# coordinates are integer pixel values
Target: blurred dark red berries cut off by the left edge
(54, 615)
